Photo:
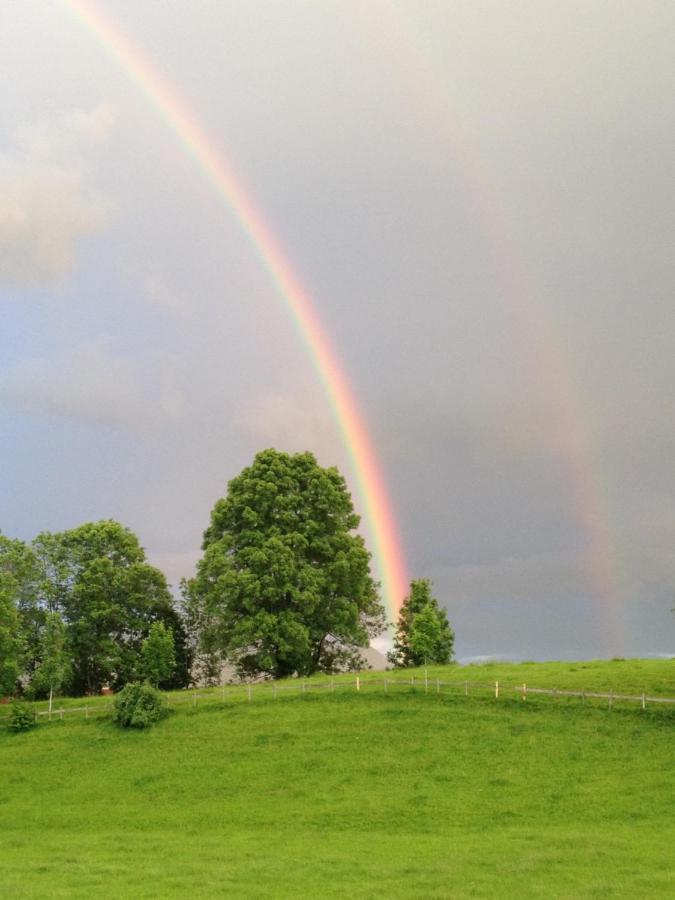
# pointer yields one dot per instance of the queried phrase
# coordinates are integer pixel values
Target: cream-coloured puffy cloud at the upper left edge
(47, 201)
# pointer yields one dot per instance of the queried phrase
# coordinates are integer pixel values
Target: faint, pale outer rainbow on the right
(534, 328)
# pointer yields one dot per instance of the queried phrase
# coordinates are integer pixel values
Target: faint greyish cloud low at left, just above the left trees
(95, 386)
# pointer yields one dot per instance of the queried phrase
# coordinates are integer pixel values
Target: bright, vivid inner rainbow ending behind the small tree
(388, 554)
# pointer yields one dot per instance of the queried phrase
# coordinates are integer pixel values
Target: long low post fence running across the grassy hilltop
(271, 690)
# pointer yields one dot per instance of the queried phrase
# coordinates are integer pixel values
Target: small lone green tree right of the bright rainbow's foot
(423, 633)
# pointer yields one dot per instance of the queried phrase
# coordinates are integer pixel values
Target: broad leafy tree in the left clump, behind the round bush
(98, 579)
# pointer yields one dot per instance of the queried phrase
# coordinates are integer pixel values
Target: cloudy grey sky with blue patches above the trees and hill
(479, 199)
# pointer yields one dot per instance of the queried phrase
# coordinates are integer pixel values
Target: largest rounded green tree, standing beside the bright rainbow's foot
(284, 585)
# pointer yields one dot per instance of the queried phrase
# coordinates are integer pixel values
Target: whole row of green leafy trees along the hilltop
(283, 588)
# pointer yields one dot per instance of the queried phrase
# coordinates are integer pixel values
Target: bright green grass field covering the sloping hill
(362, 795)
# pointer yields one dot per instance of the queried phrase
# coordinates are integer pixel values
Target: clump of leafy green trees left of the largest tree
(75, 608)
